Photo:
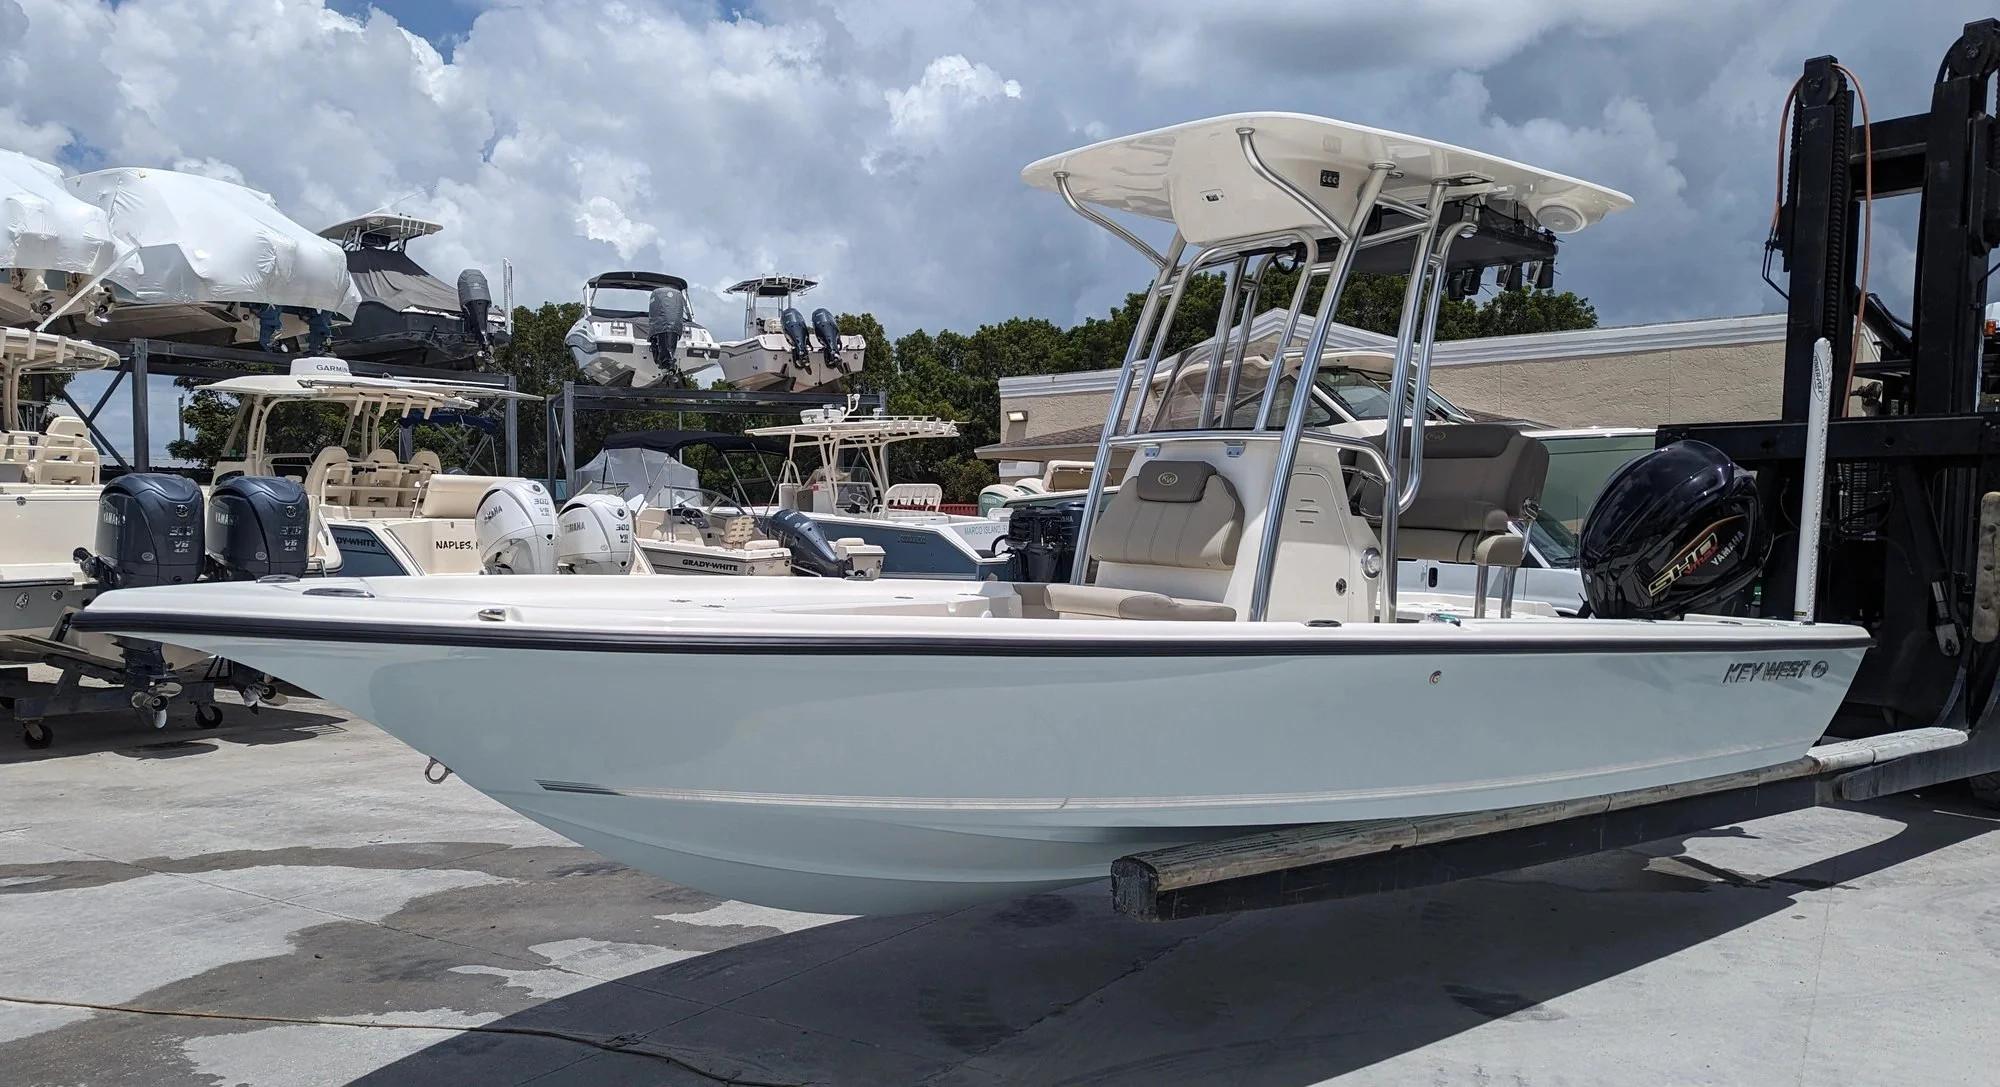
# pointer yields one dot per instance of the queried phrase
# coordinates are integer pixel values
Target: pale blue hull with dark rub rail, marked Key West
(885, 764)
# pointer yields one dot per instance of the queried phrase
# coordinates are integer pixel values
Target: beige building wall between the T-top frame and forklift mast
(1643, 389)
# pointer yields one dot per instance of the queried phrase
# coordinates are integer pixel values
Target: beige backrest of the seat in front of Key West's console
(1173, 513)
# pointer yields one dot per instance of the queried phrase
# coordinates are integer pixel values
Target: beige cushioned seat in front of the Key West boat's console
(1175, 513)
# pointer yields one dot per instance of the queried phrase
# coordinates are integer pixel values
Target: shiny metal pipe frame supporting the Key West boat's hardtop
(1403, 467)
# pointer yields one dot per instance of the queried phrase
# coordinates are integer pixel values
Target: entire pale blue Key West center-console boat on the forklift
(1231, 660)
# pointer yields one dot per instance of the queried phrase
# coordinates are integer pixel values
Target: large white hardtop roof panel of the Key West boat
(1197, 177)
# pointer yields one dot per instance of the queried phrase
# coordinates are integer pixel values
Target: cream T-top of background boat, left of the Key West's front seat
(843, 441)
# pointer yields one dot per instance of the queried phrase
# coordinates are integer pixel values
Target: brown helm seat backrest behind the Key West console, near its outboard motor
(1477, 481)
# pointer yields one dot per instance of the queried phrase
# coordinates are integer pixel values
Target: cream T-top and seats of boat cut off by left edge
(61, 453)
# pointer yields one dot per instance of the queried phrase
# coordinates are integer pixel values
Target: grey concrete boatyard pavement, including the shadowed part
(301, 870)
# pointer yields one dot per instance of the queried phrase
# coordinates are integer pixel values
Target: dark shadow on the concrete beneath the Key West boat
(1057, 990)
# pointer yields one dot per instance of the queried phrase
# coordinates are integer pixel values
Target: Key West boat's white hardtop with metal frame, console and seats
(1225, 443)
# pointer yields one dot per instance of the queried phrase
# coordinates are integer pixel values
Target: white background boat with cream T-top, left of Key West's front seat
(849, 495)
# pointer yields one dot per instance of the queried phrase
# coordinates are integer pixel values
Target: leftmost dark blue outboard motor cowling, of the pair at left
(149, 533)
